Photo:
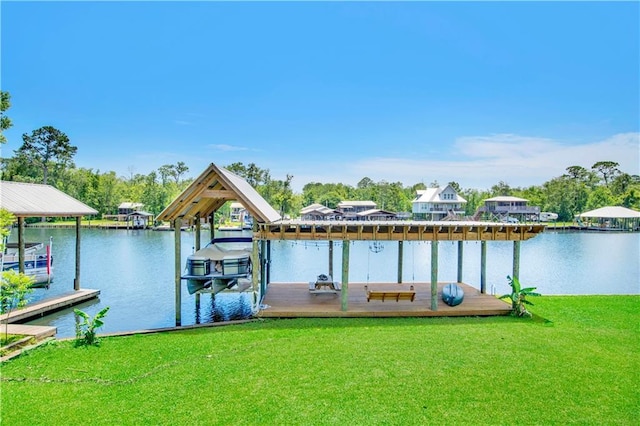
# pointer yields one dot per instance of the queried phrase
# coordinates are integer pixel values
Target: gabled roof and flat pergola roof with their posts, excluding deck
(216, 185)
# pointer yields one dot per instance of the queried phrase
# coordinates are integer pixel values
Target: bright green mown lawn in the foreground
(575, 362)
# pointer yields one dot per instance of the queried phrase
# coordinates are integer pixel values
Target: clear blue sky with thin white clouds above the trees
(475, 93)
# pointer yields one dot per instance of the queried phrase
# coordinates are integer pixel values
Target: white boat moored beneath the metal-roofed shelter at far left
(38, 261)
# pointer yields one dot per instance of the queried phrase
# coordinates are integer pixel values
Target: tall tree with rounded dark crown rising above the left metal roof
(47, 147)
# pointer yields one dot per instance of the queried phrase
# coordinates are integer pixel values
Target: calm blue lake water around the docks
(134, 270)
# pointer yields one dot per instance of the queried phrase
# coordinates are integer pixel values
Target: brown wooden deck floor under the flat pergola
(293, 300)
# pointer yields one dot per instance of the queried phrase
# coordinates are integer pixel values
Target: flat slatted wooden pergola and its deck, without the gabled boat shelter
(427, 300)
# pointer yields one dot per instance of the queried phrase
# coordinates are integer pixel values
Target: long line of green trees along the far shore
(46, 156)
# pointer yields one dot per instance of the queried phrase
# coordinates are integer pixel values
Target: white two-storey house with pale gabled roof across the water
(437, 203)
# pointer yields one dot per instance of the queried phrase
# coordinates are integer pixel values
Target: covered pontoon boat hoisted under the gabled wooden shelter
(219, 265)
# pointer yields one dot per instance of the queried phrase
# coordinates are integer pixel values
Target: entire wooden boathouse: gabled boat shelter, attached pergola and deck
(216, 185)
